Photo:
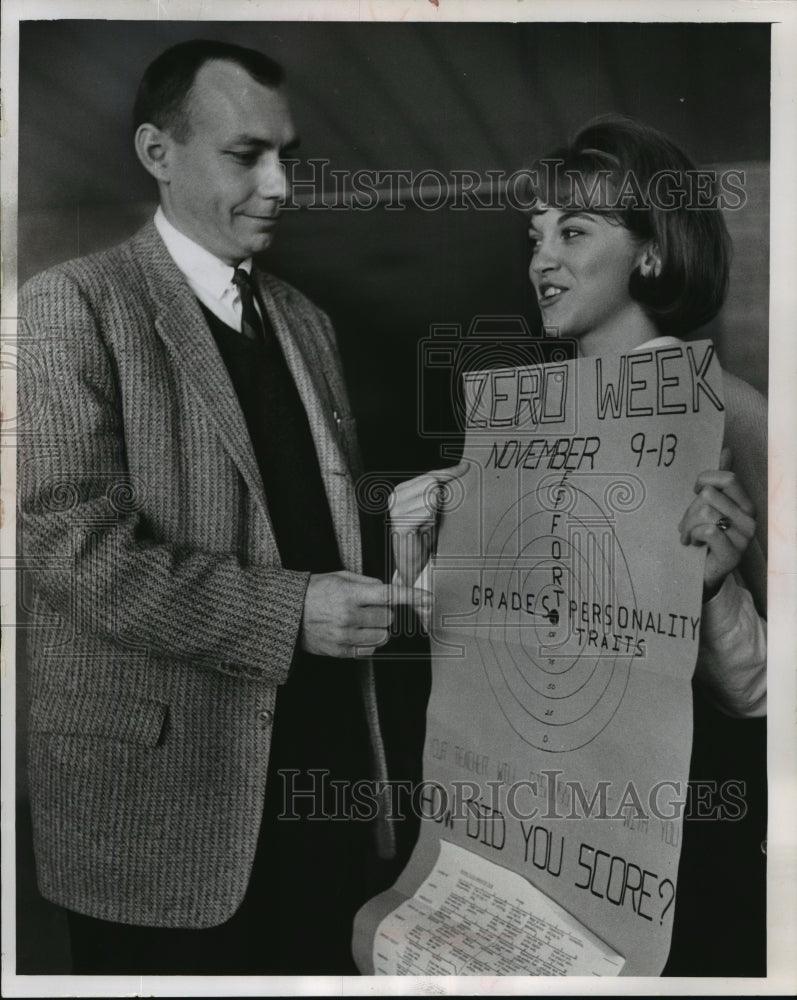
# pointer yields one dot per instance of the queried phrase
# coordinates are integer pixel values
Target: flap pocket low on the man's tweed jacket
(72, 713)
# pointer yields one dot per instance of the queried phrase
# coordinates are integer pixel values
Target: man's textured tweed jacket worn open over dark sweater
(162, 618)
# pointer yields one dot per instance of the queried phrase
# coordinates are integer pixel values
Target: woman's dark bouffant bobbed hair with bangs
(692, 239)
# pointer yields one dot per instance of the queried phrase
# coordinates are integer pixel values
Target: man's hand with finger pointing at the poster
(347, 615)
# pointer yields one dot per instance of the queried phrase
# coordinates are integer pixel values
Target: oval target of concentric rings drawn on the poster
(556, 667)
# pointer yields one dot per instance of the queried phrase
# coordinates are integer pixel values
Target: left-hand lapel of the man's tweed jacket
(182, 326)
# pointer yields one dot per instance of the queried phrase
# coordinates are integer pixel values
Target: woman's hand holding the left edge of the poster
(414, 510)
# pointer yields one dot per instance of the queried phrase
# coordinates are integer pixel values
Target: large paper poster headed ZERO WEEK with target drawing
(564, 639)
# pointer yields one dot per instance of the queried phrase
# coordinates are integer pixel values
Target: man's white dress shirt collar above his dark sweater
(210, 279)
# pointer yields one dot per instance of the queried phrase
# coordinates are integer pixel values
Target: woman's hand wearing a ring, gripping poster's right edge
(721, 517)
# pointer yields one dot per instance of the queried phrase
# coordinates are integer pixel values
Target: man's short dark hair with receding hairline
(162, 94)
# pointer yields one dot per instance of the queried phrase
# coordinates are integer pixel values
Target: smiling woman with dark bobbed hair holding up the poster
(624, 254)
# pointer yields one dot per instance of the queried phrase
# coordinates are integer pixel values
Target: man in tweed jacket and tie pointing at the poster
(187, 490)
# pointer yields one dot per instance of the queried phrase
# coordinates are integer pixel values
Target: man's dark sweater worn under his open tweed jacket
(319, 720)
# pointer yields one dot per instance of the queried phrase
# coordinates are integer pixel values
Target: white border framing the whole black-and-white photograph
(782, 738)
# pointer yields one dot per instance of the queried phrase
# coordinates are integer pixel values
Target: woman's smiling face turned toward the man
(580, 266)
